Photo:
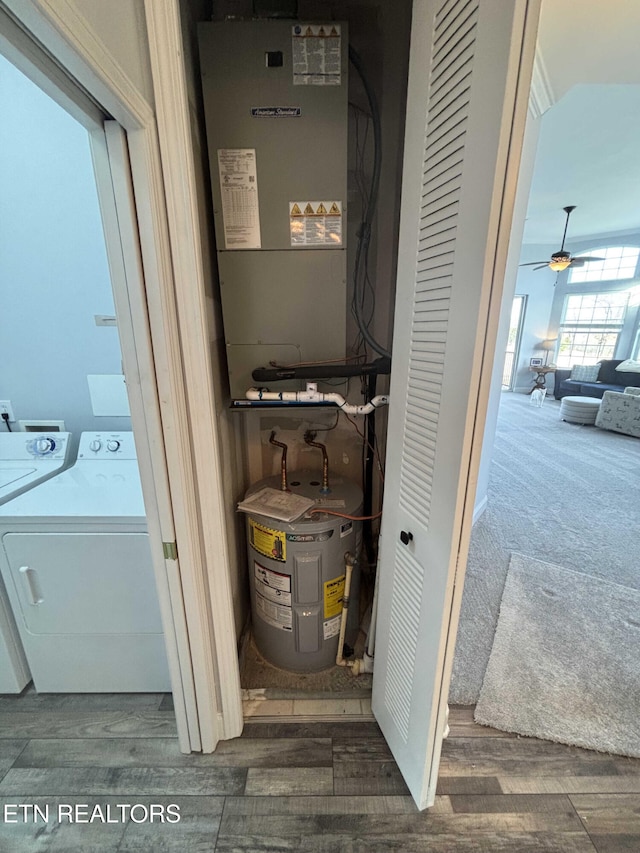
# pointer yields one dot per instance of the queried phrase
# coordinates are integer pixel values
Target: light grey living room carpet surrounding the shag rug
(563, 493)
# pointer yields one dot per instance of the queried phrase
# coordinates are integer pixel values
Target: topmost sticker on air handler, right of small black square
(316, 54)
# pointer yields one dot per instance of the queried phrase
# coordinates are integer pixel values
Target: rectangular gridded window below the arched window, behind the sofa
(590, 327)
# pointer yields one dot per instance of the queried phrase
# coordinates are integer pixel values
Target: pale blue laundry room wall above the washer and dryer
(52, 264)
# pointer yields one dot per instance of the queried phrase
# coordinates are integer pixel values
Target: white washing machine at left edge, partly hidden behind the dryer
(26, 459)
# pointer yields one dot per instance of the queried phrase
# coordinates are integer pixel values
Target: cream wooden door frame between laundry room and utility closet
(179, 375)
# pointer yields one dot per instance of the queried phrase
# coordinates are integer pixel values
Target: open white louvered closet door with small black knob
(469, 77)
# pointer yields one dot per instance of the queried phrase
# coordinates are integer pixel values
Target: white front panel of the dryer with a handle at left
(87, 611)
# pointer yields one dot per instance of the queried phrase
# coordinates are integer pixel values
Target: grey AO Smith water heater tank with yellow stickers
(297, 574)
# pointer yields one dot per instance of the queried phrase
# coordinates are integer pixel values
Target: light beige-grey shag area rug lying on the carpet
(565, 662)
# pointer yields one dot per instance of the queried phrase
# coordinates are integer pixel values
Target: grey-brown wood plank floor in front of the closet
(294, 786)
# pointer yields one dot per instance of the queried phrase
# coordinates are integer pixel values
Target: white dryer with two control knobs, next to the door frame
(76, 561)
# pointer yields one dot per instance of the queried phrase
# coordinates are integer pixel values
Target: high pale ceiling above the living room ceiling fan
(588, 150)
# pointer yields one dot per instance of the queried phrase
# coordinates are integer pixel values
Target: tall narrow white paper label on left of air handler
(239, 193)
